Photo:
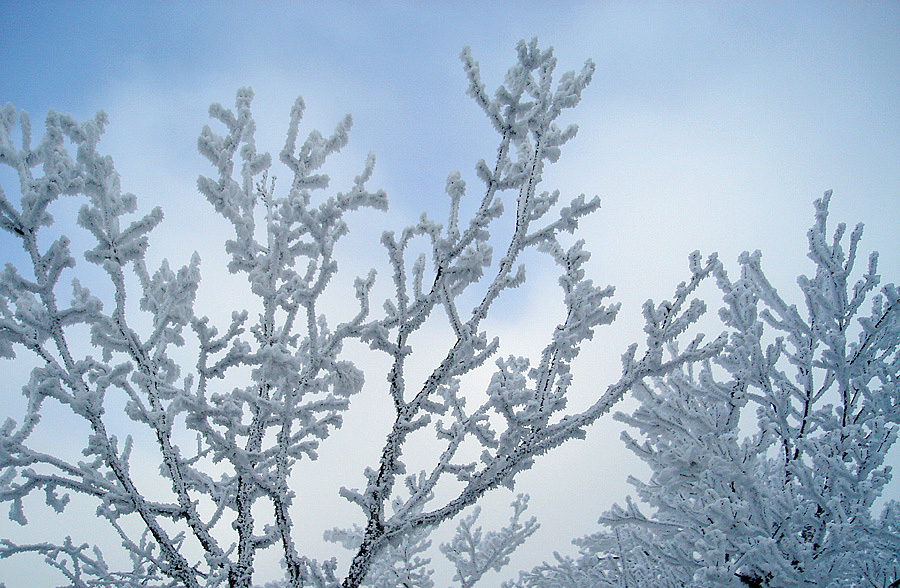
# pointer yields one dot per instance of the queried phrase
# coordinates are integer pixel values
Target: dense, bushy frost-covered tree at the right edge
(767, 461)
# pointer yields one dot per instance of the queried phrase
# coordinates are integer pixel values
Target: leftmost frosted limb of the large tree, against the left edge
(32, 316)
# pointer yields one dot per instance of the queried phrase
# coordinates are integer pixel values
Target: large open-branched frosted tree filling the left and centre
(233, 427)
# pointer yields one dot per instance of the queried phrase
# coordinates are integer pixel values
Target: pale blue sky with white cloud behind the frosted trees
(708, 125)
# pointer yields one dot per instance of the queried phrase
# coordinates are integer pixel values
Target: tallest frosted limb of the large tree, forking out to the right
(522, 413)
